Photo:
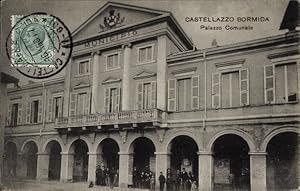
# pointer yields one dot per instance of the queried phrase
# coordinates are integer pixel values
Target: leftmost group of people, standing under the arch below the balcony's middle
(106, 176)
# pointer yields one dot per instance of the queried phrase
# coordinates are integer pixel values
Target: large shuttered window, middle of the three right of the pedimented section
(230, 89)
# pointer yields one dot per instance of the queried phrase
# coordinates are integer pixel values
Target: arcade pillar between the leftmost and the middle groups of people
(124, 160)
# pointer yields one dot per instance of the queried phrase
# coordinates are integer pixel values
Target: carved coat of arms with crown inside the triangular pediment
(111, 21)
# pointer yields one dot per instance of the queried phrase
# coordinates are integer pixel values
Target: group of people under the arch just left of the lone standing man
(143, 178)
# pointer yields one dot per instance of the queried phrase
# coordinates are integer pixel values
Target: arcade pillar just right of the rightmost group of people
(205, 170)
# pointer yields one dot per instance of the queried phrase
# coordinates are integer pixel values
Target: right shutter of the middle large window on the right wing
(244, 86)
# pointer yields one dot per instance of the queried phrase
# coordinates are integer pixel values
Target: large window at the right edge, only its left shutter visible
(280, 82)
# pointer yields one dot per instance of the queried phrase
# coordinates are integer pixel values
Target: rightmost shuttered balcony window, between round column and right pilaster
(146, 95)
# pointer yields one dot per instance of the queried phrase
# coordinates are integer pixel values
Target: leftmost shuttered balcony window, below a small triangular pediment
(80, 103)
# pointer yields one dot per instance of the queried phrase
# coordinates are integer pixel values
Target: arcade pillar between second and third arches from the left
(42, 166)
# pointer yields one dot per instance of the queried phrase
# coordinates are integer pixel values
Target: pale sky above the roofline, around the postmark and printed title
(75, 12)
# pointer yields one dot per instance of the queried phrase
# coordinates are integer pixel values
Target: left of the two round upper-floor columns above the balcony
(95, 86)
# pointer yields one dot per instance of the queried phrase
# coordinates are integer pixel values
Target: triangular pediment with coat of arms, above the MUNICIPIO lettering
(114, 15)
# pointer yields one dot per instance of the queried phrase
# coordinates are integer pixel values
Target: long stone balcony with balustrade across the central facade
(123, 119)
